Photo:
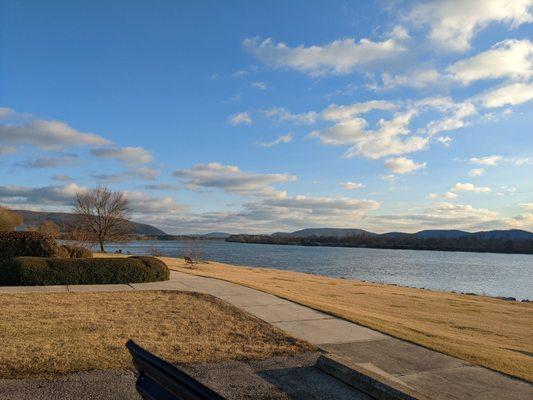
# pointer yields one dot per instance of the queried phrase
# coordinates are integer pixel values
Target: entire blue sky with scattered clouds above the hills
(259, 117)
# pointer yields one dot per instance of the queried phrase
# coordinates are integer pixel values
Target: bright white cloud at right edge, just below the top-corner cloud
(511, 59)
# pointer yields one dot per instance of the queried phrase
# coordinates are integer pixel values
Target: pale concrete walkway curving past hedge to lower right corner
(425, 372)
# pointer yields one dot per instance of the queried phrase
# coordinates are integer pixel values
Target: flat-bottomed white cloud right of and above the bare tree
(231, 179)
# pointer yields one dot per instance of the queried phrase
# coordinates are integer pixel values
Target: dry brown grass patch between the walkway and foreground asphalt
(45, 334)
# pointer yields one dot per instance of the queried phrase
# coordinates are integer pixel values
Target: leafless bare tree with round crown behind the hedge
(103, 214)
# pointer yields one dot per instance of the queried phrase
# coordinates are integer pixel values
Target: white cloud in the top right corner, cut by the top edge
(453, 23)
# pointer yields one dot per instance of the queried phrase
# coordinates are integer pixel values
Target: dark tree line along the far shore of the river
(406, 241)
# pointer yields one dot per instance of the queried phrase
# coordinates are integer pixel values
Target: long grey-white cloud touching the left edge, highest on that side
(47, 135)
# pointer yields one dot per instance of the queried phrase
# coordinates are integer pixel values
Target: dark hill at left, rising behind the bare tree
(33, 219)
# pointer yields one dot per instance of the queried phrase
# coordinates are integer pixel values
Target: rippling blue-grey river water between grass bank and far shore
(509, 275)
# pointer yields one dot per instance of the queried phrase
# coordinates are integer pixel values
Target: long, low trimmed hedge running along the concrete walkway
(33, 271)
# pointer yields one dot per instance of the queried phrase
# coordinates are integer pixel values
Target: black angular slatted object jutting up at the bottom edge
(160, 380)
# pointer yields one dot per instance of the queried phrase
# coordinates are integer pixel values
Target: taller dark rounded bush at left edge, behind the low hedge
(27, 244)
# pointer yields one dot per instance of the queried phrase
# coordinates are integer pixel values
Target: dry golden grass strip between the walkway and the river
(486, 331)
